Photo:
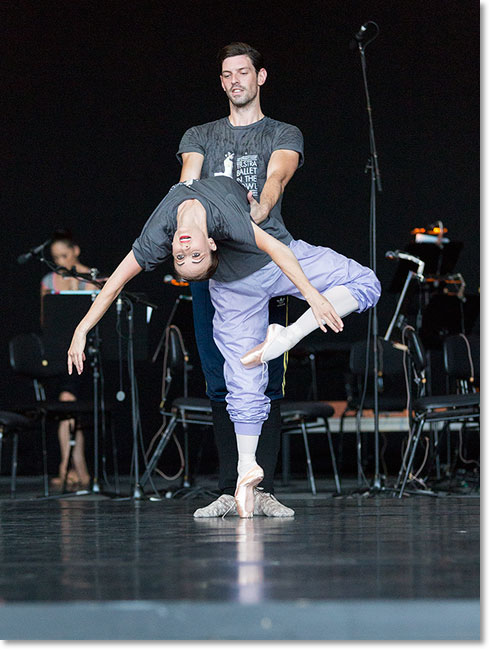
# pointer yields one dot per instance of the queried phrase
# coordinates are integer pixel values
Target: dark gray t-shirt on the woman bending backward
(228, 222)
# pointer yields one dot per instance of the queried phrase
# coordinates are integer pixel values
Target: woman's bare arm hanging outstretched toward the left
(126, 270)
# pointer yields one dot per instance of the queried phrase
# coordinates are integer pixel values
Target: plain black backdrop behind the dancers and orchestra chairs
(98, 94)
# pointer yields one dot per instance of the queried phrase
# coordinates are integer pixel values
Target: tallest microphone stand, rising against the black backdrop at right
(375, 186)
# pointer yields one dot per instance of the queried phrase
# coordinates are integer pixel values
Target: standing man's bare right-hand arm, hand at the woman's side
(282, 165)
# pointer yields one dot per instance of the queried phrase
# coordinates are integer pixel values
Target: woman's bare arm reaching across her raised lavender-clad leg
(289, 265)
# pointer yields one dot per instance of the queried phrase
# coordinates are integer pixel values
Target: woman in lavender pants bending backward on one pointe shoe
(255, 265)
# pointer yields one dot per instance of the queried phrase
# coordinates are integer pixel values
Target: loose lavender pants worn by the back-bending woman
(242, 317)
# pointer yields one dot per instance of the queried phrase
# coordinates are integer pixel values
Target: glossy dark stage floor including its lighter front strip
(350, 567)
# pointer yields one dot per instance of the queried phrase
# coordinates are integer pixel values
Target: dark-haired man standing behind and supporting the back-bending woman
(262, 154)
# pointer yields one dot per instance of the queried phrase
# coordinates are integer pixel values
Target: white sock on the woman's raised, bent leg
(342, 301)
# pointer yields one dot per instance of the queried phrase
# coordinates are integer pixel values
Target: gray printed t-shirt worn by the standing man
(242, 152)
